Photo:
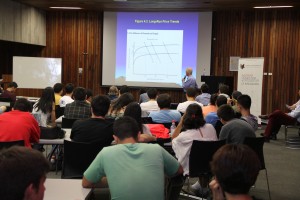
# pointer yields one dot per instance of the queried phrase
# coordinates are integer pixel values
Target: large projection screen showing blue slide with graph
(154, 49)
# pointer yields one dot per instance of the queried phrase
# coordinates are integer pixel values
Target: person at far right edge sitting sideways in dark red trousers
(278, 118)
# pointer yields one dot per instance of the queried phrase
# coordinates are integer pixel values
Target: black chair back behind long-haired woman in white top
(200, 156)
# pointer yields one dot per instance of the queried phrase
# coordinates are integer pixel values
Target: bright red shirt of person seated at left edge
(18, 125)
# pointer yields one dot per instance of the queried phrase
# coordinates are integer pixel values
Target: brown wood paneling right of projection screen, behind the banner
(272, 34)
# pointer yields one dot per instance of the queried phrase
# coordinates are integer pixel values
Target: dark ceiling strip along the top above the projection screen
(158, 5)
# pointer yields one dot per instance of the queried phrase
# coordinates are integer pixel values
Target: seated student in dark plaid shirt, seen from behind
(79, 109)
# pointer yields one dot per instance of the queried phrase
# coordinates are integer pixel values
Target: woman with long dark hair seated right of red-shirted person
(44, 108)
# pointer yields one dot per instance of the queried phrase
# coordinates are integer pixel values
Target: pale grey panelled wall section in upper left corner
(21, 23)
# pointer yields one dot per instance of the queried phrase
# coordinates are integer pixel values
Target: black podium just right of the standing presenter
(214, 81)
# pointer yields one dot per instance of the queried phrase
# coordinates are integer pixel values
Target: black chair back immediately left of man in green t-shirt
(77, 158)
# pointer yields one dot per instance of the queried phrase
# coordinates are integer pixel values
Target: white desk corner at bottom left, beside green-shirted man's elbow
(66, 189)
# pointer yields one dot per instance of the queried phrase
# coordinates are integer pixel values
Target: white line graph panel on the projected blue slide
(154, 55)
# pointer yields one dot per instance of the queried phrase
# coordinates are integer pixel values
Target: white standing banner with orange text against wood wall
(250, 78)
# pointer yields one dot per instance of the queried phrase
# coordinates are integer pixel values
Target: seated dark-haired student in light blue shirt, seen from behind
(164, 115)
